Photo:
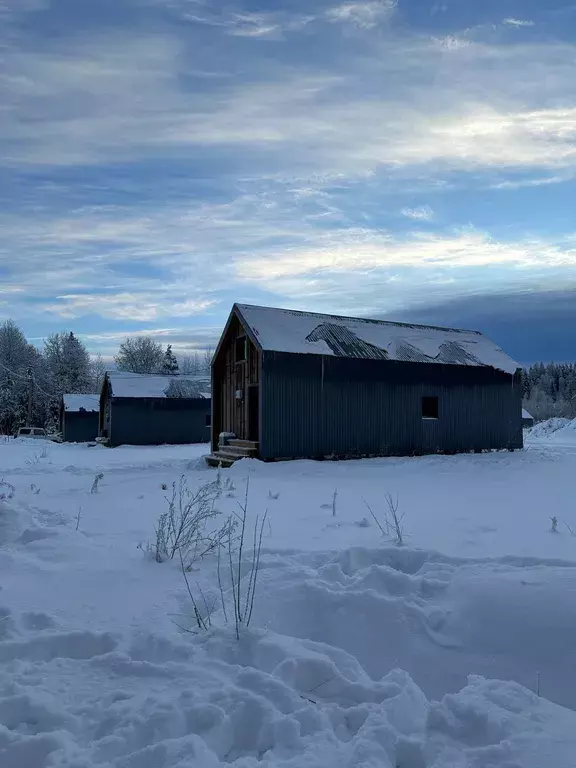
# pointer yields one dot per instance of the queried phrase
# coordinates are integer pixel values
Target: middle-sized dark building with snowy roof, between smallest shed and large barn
(140, 409)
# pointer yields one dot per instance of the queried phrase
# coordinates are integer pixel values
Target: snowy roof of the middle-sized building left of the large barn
(126, 384)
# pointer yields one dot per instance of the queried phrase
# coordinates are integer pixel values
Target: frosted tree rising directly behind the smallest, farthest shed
(69, 363)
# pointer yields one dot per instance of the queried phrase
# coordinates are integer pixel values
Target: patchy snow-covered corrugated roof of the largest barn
(283, 330)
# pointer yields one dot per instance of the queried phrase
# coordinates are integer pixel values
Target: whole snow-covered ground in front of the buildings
(360, 654)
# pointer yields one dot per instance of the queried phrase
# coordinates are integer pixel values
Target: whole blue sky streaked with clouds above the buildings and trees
(161, 159)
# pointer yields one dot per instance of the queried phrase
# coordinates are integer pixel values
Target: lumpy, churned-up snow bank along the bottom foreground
(268, 701)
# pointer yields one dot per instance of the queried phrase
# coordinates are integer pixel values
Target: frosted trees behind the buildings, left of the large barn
(39, 377)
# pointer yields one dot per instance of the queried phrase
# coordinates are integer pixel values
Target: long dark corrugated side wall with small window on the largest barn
(316, 406)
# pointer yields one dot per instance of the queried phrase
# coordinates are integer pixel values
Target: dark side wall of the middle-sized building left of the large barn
(156, 421)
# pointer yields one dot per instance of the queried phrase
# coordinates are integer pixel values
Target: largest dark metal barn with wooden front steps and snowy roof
(288, 384)
